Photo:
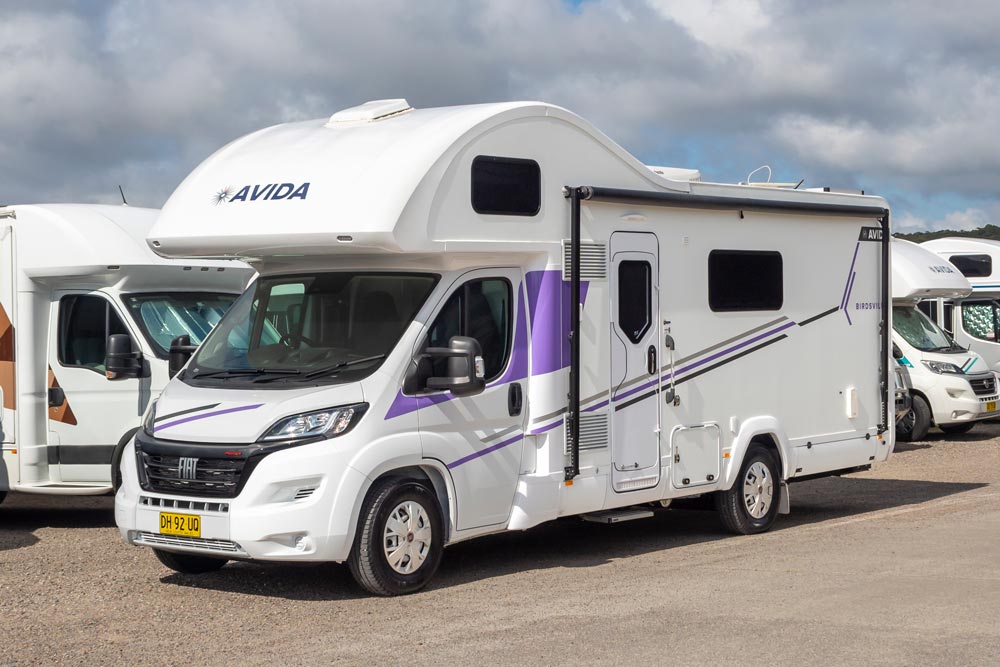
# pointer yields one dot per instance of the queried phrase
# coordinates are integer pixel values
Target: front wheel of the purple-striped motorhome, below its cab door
(398, 545)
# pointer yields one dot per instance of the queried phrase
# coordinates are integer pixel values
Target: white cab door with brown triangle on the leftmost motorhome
(95, 412)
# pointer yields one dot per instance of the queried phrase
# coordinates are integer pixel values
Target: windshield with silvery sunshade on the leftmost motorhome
(163, 317)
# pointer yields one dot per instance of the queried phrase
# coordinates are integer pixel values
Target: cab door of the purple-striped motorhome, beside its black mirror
(480, 438)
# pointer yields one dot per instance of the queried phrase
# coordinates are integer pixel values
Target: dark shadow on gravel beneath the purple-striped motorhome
(574, 543)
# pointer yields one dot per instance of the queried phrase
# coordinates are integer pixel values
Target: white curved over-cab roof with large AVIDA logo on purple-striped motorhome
(385, 178)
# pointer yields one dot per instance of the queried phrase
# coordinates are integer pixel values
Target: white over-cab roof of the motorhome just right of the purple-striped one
(918, 273)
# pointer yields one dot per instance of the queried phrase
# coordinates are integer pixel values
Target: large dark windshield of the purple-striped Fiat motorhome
(324, 327)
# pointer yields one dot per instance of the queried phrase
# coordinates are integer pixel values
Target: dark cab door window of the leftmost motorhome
(85, 322)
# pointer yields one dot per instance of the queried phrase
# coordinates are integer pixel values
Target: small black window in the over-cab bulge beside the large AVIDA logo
(506, 186)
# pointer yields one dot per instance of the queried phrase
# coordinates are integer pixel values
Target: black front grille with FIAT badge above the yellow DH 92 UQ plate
(212, 477)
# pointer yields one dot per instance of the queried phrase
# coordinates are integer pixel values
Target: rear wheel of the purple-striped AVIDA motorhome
(751, 505)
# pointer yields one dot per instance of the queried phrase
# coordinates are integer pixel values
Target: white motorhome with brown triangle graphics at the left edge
(74, 280)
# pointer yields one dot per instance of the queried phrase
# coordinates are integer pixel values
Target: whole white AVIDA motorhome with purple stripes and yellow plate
(477, 319)
